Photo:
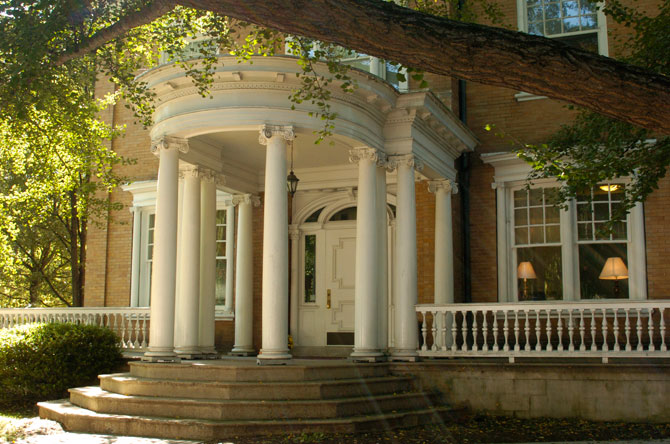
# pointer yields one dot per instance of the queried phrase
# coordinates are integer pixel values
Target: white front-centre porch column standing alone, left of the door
(274, 347)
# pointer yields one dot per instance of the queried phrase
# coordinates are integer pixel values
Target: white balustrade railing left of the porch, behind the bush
(130, 324)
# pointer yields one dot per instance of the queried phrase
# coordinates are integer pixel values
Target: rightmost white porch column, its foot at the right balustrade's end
(444, 244)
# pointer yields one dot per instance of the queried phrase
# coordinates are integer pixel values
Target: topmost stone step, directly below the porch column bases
(226, 372)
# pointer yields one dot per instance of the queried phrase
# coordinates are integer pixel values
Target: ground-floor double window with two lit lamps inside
(559, 254)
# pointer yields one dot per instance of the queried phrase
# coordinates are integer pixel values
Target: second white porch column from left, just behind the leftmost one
(188, 297)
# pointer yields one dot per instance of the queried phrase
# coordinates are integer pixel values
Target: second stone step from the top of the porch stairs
(126, 384)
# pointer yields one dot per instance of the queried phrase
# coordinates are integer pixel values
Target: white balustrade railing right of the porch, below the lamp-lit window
(602, 329)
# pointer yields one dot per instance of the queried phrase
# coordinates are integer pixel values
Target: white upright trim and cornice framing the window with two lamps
(510, 173)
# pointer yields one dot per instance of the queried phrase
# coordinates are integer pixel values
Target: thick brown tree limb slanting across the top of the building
(483, 54)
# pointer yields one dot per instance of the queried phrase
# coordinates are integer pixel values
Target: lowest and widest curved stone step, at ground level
(78, 419)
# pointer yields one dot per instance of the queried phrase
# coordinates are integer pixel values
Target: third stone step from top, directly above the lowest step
(98, 400)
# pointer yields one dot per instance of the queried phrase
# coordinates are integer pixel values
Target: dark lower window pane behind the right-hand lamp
(592, 258)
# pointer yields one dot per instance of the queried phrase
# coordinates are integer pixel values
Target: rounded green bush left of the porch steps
(41, 361)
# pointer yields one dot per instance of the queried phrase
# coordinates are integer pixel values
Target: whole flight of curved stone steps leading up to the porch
(211, 400)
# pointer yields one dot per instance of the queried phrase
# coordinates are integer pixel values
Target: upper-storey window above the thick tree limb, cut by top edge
(578, 23)
